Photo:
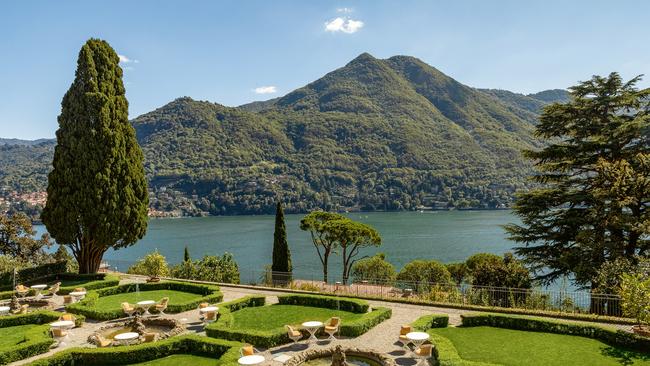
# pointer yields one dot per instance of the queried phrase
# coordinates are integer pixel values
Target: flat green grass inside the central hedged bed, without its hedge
(277, 316)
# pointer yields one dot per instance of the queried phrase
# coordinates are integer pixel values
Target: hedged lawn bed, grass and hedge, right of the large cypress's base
(105, 304)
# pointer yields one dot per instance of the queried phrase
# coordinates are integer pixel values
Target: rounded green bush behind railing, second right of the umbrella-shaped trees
(422, 274)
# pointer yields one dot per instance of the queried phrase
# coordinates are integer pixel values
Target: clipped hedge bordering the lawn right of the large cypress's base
(86, 307)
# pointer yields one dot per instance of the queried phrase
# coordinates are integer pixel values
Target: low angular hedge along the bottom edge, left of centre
(123, 355)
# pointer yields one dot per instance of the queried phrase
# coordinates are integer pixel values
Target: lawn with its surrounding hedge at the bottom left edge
(26, 335)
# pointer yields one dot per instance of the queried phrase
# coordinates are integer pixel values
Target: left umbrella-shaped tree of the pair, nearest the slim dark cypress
(321, 237)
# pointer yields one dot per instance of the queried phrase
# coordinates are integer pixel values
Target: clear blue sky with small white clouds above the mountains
(234, 52)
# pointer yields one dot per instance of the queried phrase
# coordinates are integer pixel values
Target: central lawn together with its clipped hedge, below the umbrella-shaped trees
(249, 320)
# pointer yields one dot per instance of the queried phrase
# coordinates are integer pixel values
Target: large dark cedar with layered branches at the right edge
(591, 206)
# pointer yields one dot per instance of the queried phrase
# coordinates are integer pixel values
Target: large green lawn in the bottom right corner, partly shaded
(514, 347)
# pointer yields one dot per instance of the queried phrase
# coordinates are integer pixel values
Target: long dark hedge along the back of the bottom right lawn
(611, 336)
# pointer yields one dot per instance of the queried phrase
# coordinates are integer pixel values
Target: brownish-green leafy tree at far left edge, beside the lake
(17, 238)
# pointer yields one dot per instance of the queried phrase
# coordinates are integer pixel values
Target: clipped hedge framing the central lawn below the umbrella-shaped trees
(222, 328)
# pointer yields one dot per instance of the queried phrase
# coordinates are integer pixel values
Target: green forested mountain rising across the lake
(375, 135)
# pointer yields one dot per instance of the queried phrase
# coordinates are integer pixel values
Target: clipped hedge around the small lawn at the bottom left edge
(37, 340)
